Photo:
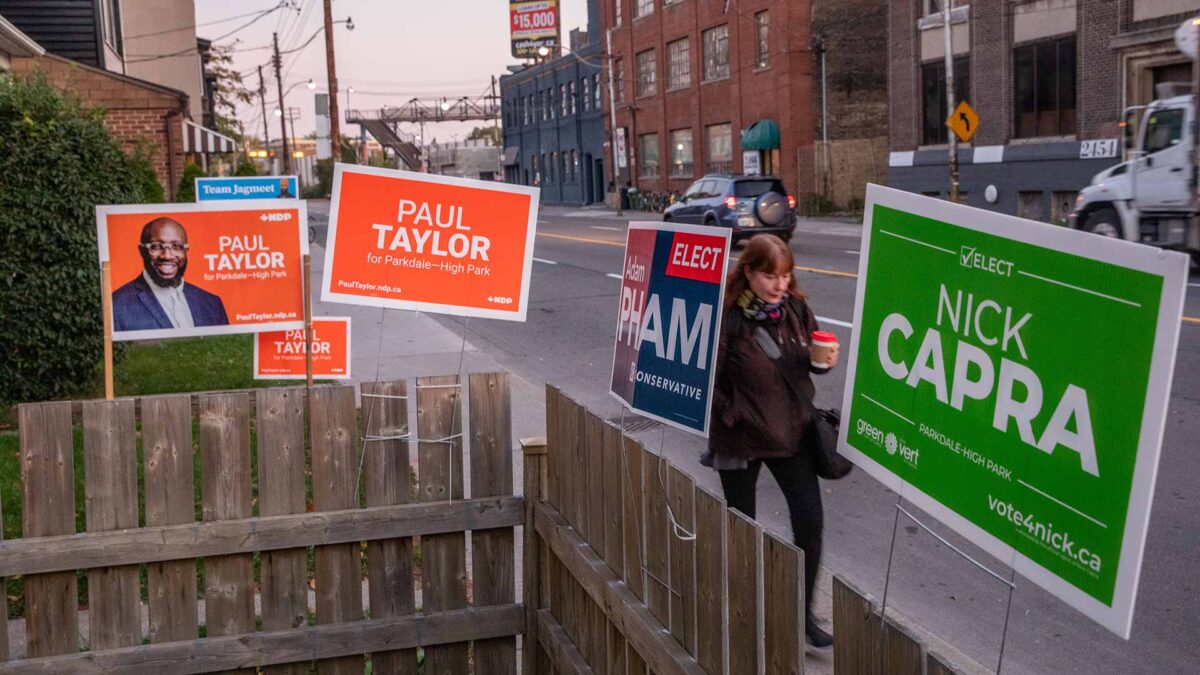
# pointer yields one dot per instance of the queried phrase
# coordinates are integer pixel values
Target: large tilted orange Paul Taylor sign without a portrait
(430, 243)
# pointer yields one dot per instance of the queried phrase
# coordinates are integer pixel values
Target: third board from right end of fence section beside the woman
(711, 549)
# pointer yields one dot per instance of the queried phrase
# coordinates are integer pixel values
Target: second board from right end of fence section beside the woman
(745, 541)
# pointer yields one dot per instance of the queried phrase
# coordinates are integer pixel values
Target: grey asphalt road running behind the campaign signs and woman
(568, 342)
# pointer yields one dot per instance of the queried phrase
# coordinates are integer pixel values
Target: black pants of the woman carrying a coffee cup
(799, 480)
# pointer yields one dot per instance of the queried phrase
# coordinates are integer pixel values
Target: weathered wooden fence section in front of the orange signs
(280, 513)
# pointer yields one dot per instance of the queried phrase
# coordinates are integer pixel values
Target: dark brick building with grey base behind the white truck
(1049, 80)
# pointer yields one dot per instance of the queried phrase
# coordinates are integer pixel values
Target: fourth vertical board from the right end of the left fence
(332, 417)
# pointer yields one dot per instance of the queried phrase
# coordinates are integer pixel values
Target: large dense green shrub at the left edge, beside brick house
(57, 163)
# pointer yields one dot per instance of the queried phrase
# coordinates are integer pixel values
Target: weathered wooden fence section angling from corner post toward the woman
(634, 568)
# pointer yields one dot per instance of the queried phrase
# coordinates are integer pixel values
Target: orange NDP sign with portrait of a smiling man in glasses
(211, 268)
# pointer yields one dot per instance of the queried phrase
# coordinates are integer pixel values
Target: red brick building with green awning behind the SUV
(700, 83)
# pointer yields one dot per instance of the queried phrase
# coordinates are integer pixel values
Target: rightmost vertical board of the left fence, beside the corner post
(494, 565)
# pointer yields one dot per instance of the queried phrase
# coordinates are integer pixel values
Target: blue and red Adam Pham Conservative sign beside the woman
(670, 321)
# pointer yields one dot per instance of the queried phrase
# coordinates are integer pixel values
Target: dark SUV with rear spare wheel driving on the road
(748, 205)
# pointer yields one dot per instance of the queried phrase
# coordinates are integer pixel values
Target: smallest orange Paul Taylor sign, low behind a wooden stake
(280, 355)
